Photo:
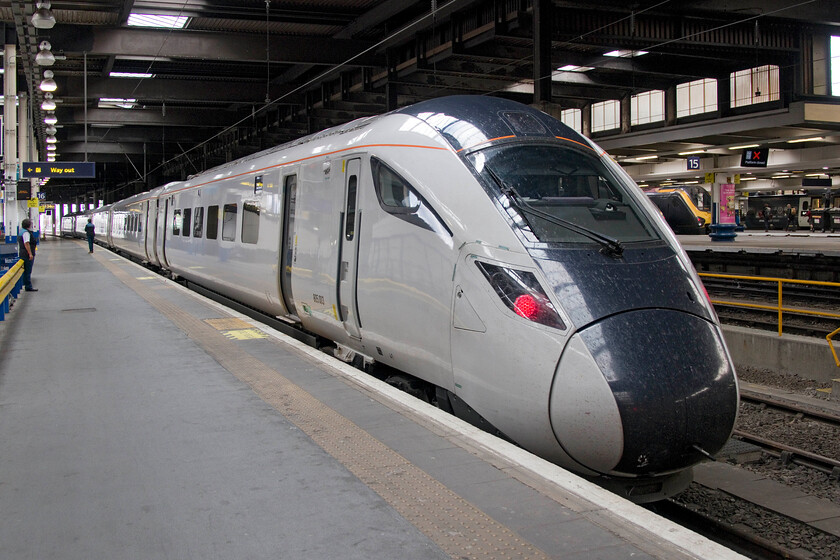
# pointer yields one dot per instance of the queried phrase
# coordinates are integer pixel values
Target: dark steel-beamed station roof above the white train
(154, 104)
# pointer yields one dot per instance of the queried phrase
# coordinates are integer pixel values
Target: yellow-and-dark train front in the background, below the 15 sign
(686, 208)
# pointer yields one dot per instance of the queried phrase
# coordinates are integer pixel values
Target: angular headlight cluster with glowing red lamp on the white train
(521, 293)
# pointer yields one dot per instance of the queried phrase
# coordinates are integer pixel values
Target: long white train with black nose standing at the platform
(485, 248)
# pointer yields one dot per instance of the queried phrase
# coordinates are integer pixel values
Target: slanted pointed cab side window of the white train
(397, 197)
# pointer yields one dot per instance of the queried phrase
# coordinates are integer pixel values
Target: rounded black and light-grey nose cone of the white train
(638, 392)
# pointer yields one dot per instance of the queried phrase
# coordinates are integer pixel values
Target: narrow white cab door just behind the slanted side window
(348, 249)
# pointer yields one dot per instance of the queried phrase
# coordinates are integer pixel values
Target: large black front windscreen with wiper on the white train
(563, 195)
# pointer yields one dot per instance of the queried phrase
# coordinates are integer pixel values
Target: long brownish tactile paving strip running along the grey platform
(458, 527)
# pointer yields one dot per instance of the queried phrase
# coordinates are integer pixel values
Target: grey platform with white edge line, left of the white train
(140, 420)
